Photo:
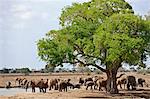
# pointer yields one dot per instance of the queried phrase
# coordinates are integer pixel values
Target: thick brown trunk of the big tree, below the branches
(111, 86)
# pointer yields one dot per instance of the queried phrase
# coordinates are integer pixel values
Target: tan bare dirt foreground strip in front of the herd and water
(81, 94)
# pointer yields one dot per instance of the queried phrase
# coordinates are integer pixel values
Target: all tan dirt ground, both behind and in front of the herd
(140, 93)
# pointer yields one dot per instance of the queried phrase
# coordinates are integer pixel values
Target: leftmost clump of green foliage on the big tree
(56, 48)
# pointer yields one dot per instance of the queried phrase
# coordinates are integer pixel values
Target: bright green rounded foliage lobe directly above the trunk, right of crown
(117, 36)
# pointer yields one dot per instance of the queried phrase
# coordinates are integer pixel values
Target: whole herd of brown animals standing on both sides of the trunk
(96, 82)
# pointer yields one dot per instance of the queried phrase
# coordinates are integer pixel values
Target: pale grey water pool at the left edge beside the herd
(14, 91)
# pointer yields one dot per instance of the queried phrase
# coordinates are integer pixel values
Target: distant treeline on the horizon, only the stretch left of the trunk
(49, 70)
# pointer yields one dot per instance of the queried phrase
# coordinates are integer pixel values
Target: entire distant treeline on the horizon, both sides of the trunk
(78, 69)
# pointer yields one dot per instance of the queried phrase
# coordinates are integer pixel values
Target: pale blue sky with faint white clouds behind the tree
(24, 22)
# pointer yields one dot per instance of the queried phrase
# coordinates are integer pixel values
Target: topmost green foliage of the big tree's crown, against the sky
(94, 11)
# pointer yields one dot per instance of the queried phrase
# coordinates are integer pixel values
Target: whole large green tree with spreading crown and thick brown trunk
(100, 33)
